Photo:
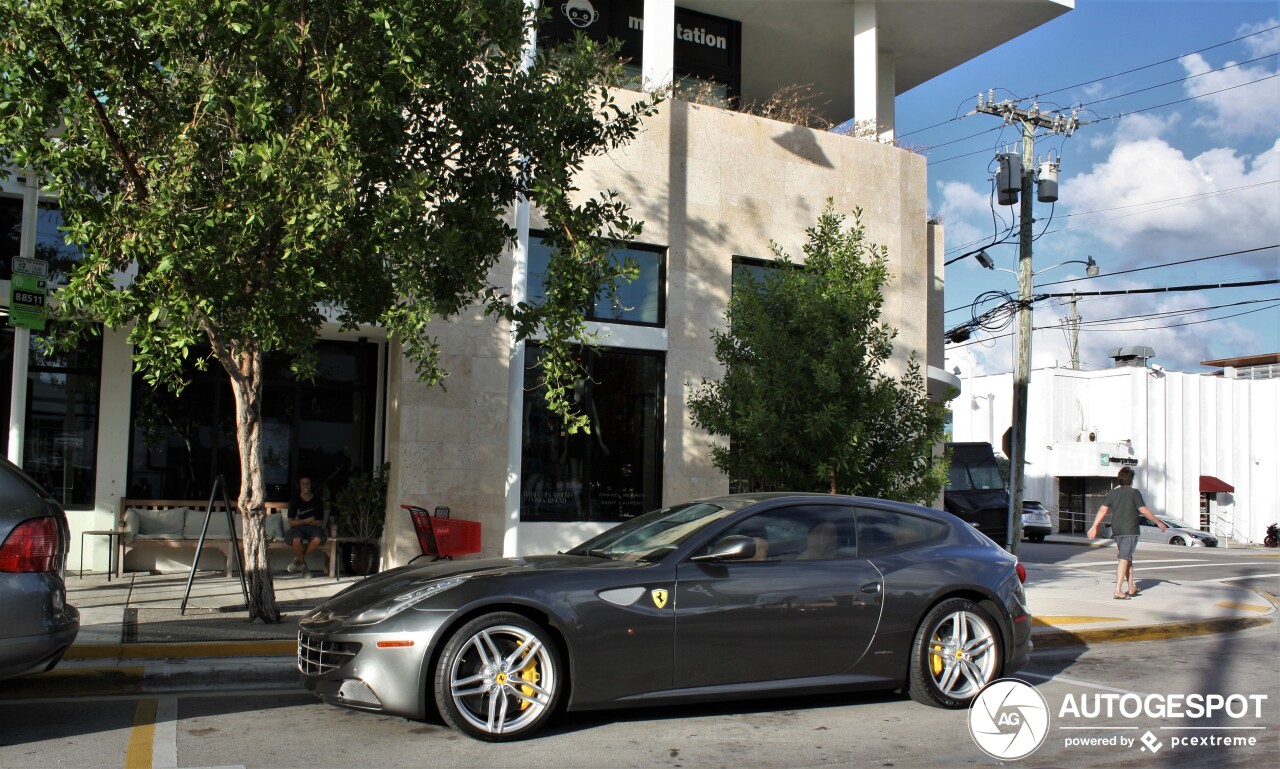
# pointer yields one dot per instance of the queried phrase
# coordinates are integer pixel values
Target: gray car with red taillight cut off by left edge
(39, 626)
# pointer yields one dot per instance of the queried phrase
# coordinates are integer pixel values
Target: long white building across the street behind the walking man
(1204, 446)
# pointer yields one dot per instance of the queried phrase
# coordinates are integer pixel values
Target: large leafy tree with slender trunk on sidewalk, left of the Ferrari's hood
(235, 171)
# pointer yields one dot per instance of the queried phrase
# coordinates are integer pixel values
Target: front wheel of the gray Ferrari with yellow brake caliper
(499, 679)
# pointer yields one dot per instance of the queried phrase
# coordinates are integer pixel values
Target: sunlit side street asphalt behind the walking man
(1247, 567)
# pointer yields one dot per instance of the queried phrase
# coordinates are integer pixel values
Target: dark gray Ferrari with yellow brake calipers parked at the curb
(726, 598)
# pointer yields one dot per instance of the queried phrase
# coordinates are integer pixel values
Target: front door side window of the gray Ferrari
(802, 533)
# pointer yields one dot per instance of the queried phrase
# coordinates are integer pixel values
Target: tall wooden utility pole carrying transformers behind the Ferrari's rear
(1030, 121)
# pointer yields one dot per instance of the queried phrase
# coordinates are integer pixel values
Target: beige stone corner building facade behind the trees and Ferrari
(714, 187)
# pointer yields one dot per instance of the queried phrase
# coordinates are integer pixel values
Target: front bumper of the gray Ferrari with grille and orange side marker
(378, 669)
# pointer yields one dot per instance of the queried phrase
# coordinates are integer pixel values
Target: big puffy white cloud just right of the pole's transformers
(1153, 200)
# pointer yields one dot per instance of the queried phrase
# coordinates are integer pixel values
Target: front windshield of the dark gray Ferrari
(653, 535)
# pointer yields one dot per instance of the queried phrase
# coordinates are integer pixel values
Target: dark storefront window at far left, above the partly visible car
(60, 447)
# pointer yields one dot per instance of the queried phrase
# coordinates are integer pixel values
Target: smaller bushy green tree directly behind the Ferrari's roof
(804, 402)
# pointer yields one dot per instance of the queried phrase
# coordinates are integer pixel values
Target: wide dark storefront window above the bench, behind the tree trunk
(323, 429)
